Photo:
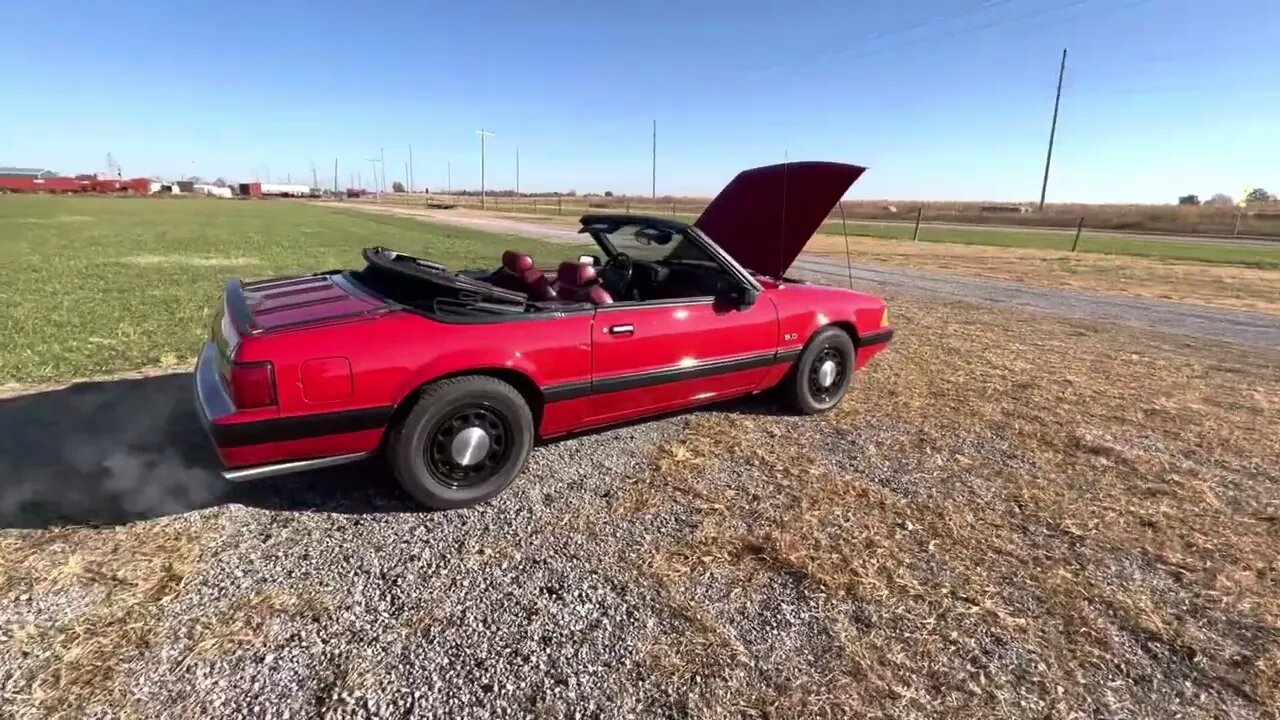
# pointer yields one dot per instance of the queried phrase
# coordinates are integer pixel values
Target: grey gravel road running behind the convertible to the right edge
(1233, 326)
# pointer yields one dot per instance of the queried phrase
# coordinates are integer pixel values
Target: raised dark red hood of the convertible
(766, 216)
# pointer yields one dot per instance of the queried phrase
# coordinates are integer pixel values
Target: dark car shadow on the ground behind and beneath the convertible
(117, 452)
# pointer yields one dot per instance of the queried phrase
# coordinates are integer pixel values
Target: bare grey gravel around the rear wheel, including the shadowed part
(330, 593)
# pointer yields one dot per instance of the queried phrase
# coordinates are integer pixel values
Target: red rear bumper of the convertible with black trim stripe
(246, 461)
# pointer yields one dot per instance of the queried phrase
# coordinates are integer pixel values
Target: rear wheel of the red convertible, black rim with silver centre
(464, 441)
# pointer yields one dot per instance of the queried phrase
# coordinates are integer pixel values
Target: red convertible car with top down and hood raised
(455, 375)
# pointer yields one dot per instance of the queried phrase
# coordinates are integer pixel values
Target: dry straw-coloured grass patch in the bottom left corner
(106, 590)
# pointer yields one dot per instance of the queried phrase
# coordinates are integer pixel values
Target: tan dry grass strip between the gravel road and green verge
(1224, 286)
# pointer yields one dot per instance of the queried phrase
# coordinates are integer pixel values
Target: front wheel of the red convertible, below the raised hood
(810, 388)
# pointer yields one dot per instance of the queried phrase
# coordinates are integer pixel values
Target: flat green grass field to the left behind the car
(94, 285)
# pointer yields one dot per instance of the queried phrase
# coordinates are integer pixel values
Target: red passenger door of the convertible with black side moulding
(665, 356)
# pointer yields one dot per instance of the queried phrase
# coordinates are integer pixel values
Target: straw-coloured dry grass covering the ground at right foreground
(1044, 520)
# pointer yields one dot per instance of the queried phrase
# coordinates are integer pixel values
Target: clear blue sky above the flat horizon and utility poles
(941, 99)
